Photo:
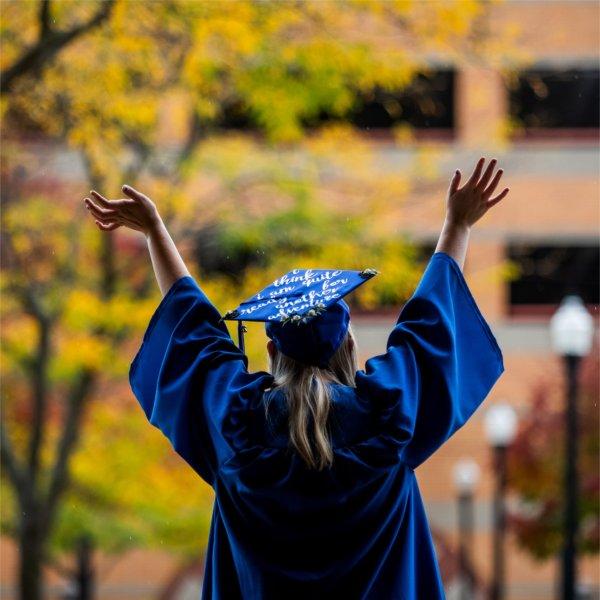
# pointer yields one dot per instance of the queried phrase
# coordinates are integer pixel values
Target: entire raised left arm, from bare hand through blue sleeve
(188, 375)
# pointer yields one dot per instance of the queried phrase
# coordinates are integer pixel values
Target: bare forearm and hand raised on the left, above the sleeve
(139, 212)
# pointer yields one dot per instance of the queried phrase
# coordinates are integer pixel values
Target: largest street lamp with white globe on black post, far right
(571, 332)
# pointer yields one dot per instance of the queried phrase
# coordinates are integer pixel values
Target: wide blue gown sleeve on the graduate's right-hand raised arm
(441, 362)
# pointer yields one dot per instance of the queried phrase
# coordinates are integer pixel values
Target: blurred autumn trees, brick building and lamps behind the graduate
(273, 135)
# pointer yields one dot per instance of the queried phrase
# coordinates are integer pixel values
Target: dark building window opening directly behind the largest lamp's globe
(548, 273)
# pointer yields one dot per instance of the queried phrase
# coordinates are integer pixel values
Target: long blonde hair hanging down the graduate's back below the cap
(307, 390)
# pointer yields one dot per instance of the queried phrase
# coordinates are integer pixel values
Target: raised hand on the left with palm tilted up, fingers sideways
(137, 212)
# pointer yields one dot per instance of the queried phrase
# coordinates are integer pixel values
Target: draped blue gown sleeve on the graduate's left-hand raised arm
(192, 381)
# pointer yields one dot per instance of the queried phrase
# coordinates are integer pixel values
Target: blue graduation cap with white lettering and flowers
(303, 311)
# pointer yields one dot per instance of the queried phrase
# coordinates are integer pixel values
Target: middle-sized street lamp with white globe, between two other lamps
(500, 429)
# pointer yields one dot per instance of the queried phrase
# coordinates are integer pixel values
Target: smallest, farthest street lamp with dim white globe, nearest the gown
(466, 476)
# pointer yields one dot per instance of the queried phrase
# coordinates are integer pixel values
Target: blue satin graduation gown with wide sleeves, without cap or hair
(278, 529)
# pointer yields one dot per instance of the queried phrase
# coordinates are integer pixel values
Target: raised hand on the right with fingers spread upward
(468, 204)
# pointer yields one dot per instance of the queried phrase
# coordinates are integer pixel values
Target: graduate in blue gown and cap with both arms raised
(313, 461)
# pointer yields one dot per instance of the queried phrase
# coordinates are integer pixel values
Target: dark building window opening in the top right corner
(555, 101)
